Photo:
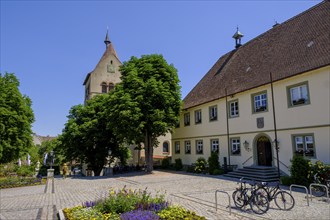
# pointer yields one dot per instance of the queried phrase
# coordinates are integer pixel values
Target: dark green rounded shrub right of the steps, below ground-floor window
(299, 170)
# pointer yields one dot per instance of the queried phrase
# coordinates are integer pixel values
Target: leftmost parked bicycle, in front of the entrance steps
(244, 196)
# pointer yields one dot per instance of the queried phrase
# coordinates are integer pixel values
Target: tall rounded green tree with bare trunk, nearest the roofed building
(147, 102)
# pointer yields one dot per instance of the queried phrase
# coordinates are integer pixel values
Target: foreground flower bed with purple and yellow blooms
(126, 204)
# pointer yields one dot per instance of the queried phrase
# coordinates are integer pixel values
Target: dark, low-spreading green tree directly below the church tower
(87, 137)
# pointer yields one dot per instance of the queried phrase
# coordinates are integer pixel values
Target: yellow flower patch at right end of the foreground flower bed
(178, 213)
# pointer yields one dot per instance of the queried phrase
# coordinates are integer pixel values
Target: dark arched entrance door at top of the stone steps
(264, 151)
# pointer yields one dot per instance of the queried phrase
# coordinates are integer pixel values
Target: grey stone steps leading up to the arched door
(257, 173)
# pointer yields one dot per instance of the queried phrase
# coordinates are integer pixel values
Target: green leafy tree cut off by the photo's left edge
(16, 118)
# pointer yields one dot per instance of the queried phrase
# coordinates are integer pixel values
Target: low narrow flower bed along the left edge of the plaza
(15, 181)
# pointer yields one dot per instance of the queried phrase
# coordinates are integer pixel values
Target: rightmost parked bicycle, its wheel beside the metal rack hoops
(283, 199)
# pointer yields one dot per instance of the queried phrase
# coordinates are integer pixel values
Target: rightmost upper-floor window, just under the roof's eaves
(298, 94)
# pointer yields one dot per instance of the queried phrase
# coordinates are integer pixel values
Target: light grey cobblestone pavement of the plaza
(195, 192)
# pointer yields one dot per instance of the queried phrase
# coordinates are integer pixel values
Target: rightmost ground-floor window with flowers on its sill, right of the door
(304, 145)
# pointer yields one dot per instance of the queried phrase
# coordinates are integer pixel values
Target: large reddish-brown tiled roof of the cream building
(298, 45)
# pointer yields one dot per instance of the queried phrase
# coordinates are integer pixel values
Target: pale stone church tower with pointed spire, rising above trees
(106, 73)
